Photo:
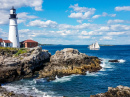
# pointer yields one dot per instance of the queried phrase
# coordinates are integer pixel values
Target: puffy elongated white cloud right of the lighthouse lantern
(43, 24)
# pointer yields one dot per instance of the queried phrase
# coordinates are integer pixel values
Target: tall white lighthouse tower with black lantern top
(13, 30)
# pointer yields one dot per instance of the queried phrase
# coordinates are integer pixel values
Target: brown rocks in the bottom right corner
(119, 91)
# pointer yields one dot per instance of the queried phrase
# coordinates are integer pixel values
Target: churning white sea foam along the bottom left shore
(29, 88)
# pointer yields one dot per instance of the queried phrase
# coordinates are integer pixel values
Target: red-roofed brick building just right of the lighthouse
(30, 43)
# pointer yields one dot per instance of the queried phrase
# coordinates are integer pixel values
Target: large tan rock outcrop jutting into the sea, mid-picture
(69, 61)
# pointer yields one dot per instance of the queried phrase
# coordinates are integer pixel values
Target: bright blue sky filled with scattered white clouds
(80, 22)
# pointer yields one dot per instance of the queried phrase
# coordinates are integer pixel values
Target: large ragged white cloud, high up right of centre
(81, 12)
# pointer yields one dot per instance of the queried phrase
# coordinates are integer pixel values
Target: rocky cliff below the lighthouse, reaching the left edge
(24, 65)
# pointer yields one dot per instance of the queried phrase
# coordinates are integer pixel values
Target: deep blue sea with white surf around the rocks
(111, 75)
